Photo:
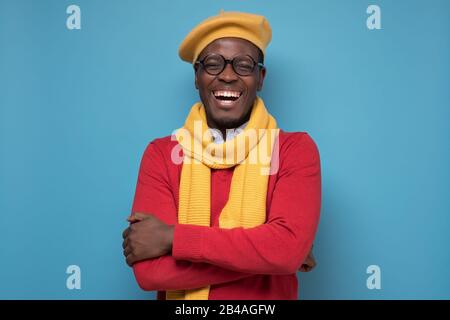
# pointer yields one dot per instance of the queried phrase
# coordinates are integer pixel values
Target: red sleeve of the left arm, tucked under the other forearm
(153, 195)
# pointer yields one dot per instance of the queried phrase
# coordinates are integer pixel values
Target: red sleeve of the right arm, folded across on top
(281, 244)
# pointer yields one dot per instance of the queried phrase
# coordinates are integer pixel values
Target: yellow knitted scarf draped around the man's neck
(250, 151)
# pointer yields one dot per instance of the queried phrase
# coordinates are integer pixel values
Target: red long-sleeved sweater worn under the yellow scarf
(256, 263)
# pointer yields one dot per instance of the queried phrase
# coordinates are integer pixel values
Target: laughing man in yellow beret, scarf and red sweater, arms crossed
(205, 228)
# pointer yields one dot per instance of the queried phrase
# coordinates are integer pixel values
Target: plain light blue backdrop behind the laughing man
(78, 107)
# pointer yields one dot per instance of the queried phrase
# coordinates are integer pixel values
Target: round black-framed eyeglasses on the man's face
(214, 64)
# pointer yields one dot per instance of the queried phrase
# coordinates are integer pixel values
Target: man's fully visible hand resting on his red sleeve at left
(147, 237)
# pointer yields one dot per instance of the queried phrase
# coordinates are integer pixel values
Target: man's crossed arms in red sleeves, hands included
(168, 256)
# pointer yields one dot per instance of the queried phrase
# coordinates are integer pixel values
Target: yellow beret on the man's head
(251, 27)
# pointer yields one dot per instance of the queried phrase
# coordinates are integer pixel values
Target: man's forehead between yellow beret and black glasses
(230, 47)
